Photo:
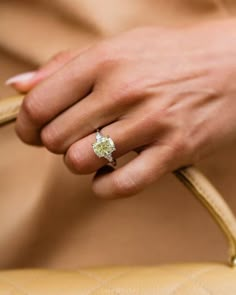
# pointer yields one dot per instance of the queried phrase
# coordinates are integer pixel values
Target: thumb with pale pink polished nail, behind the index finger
(25, 82)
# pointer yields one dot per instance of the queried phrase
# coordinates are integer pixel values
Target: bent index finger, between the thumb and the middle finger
(58, 92)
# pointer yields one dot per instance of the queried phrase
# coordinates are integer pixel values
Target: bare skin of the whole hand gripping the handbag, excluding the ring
(167, 94)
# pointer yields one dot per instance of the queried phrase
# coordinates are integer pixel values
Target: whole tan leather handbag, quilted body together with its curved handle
(191, 279)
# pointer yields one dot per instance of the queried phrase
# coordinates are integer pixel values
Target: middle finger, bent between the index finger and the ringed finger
(79, 121)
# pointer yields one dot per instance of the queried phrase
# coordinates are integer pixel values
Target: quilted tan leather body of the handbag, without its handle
(188, 279)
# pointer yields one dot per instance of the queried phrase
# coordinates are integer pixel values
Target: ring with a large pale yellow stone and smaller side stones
(104, 147)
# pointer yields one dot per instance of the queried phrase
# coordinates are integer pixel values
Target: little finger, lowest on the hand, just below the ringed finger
(140, 172)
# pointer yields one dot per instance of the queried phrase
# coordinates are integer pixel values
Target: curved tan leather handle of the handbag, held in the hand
(191, 177)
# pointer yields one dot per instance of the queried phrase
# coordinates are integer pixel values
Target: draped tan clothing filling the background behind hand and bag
(49, 217)
